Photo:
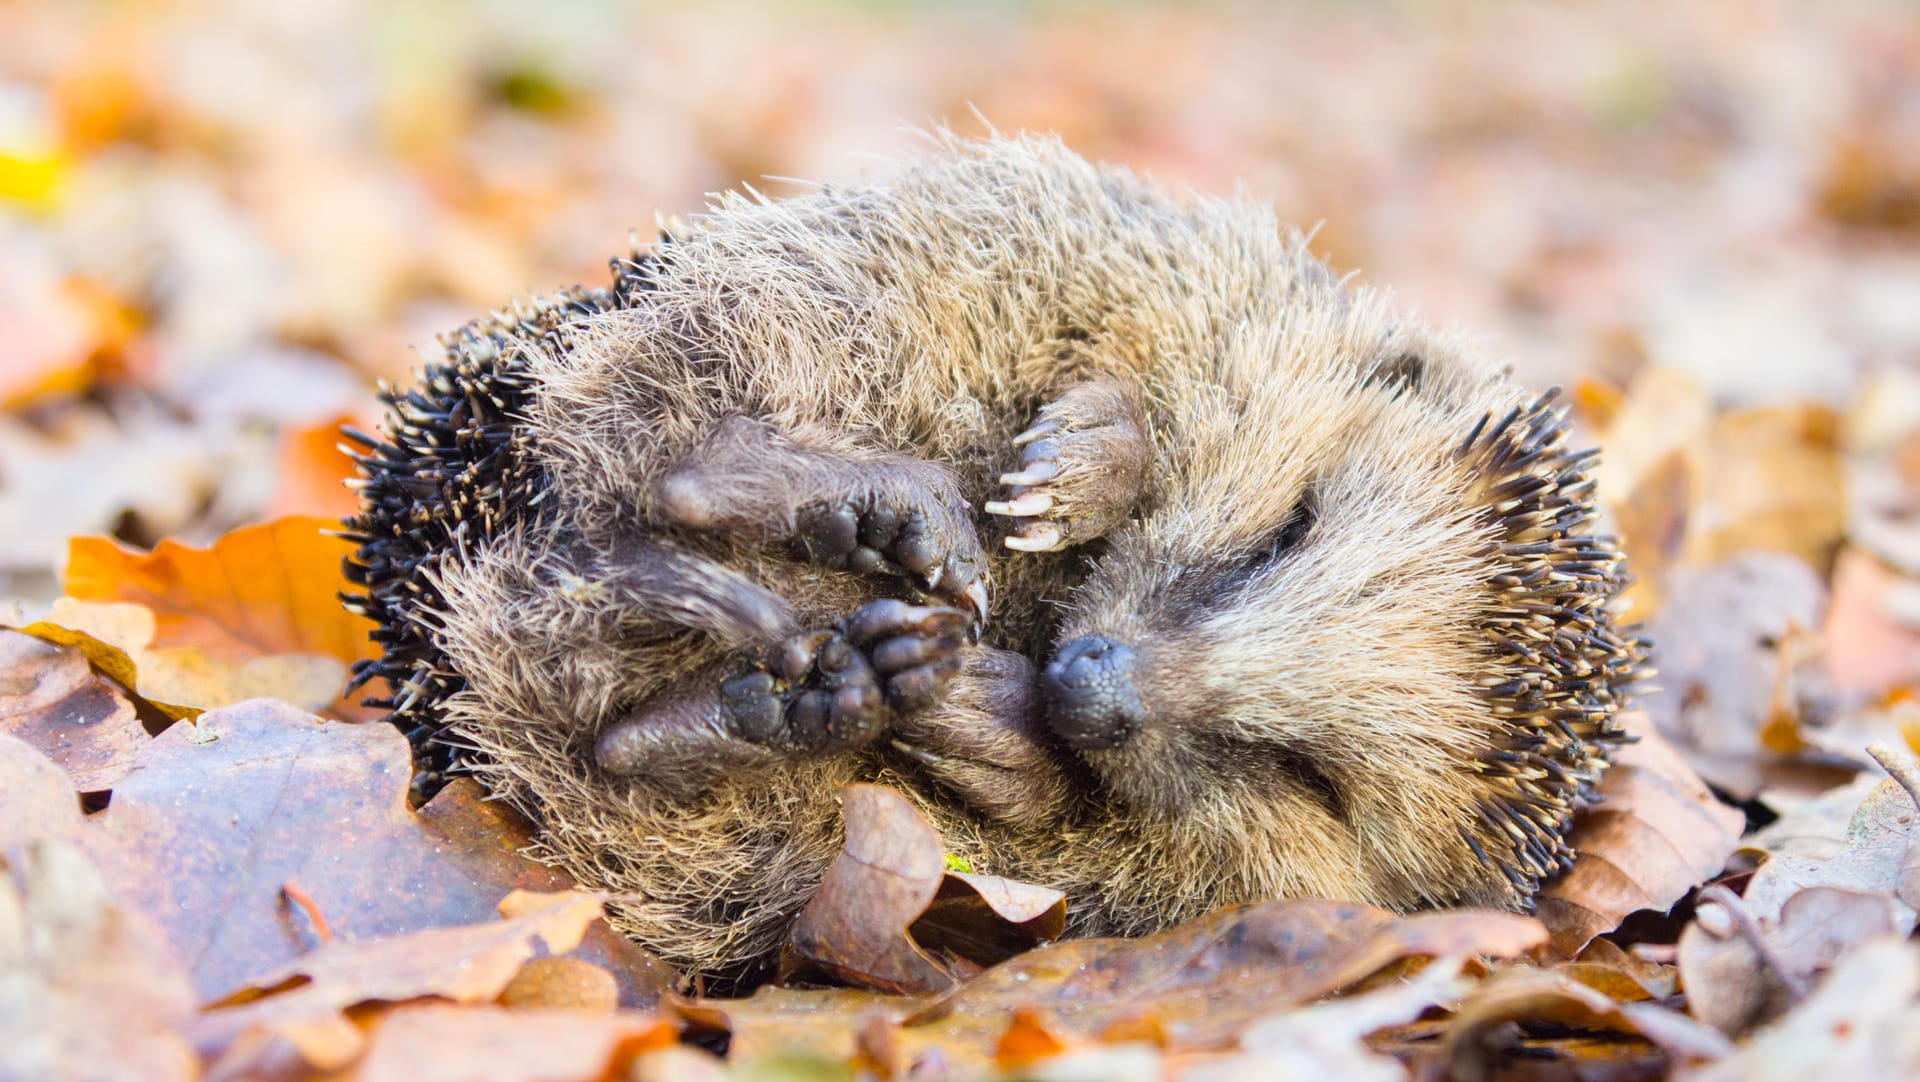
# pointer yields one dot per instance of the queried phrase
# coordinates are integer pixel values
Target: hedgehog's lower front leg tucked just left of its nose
(986, 743)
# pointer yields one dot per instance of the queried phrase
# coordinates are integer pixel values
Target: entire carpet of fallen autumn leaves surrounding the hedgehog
(222, 223)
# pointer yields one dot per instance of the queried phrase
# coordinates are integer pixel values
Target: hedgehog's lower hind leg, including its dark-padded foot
(821, 692)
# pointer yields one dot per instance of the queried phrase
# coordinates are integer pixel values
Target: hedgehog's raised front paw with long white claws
(1082, 469)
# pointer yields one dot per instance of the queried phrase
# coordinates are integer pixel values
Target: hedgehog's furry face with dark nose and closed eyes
(1297, 605)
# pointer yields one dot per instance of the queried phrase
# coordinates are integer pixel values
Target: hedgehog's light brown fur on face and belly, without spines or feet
(1314, 722)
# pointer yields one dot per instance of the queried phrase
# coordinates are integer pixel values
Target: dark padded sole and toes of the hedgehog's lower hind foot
(836, 690)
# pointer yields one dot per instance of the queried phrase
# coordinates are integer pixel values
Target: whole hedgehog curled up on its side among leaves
(1149, 559)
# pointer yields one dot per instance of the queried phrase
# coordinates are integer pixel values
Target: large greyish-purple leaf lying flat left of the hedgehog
(220, 814)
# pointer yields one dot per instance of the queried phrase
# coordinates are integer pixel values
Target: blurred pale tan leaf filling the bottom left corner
(87, 989)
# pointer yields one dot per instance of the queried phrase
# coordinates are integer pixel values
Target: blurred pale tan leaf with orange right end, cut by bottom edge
(433, 1043)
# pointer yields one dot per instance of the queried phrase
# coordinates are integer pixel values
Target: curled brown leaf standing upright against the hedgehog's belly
(888, 916)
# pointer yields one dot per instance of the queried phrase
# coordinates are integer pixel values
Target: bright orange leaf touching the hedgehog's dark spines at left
(258, 592)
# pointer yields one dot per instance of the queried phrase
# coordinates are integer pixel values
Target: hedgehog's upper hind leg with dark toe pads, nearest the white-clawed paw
(861, 511)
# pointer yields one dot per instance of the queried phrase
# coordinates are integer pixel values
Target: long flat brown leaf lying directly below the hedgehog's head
(1211, 977)
